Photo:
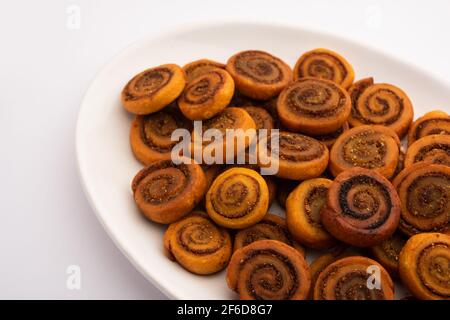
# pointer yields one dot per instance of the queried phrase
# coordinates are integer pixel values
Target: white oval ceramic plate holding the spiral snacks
(107, 166)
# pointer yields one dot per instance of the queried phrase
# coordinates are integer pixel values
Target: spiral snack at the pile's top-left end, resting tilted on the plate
(153, 89)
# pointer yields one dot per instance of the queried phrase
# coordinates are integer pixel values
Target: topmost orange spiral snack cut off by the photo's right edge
(433, 122)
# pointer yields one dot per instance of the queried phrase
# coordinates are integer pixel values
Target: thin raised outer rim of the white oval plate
(187, 28)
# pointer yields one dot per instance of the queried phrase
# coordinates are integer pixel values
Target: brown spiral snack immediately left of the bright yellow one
(165, 192)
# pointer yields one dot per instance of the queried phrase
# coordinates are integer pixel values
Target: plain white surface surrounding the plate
(46, 223)
